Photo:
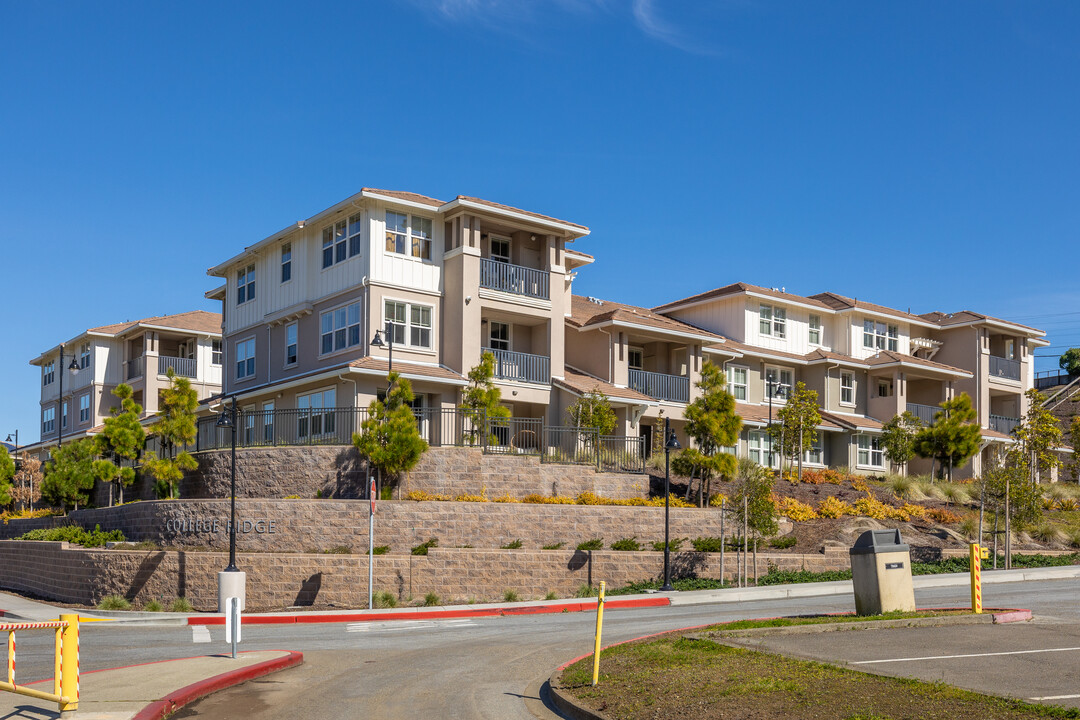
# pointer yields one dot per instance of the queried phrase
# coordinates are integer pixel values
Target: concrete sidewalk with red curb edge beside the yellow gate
(151, 691)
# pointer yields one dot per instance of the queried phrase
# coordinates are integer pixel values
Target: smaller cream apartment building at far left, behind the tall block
(140, 354)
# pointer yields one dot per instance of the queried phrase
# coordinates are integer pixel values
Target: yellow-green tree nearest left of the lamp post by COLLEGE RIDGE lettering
(175, 428)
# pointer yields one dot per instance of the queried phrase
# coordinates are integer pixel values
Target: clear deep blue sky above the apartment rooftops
(917, 155)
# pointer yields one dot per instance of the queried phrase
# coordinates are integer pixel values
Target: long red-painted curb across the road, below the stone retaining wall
(435, 615)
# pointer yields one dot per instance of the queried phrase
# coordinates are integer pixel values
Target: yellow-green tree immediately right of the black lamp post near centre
(713, 425)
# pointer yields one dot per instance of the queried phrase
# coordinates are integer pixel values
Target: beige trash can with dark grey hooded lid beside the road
(882, 574)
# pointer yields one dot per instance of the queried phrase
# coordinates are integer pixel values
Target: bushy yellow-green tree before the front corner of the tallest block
(389, 437)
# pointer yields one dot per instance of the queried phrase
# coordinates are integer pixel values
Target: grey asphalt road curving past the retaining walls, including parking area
(495, 668)
